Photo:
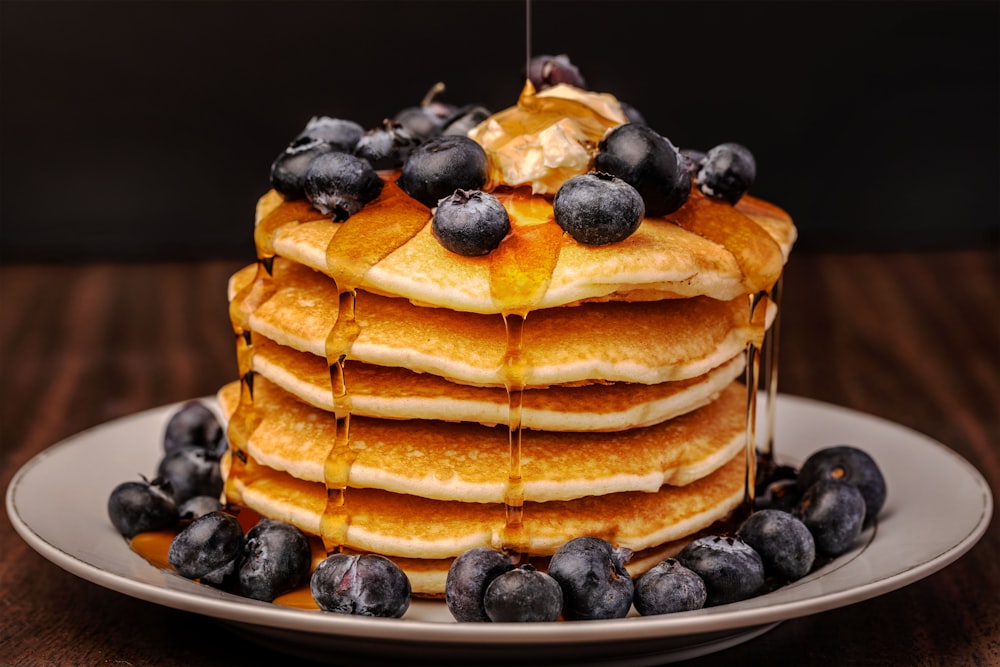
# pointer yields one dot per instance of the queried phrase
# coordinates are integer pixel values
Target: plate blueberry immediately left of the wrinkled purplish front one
(276, 559)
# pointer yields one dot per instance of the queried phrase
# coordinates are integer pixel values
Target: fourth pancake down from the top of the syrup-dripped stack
(468, 462)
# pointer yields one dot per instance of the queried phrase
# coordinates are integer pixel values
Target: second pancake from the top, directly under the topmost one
(641, 342)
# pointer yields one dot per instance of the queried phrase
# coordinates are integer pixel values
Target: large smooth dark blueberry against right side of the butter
(648, 162)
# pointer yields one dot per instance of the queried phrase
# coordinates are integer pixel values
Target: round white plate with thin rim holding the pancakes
(938, 507)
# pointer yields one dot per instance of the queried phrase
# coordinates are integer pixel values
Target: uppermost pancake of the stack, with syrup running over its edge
(707, 248)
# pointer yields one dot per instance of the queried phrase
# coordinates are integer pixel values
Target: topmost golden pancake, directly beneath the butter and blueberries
(663, 259)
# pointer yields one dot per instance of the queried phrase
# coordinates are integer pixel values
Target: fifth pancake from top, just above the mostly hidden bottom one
(399, 525)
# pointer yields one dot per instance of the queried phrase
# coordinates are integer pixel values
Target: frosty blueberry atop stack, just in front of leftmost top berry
(339, 184)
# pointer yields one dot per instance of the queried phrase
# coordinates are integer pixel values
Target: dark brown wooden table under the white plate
(911, 338)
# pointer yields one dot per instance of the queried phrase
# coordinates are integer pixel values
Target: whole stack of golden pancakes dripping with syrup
(400, 399)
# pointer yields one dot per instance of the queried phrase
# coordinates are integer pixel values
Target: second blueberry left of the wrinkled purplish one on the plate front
(209, 544)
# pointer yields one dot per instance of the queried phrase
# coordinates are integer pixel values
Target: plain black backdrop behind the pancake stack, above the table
(140, 130)
